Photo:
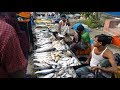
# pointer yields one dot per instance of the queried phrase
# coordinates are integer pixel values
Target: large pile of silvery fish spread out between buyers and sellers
(52, 58)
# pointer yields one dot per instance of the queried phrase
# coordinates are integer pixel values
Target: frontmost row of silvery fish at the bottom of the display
(52, 73)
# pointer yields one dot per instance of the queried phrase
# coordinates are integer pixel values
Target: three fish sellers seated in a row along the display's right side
(100, 61)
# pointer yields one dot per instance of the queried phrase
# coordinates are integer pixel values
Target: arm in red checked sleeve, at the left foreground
(13, 58)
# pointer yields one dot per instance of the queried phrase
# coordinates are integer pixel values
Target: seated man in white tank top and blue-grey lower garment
(99, 53)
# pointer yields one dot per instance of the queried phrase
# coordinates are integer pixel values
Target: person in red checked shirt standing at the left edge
(13, 63)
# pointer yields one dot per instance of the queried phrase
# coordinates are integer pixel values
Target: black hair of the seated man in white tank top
(105, 39)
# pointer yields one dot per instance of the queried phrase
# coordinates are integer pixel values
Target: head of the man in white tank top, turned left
(102, 40)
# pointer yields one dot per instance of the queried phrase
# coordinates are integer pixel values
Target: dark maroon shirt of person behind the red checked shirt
(11, 19)
